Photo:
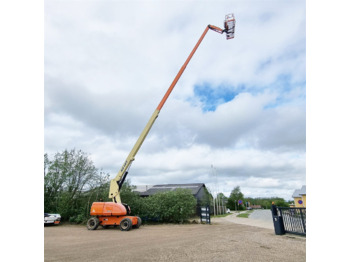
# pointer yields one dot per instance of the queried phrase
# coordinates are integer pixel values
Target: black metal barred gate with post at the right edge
(289, 220)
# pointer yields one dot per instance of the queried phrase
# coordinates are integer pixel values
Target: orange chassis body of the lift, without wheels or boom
(110, 213)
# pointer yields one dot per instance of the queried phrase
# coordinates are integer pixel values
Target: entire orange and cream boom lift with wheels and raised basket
(116, 212)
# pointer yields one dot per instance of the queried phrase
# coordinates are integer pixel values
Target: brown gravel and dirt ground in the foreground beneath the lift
(224, 240)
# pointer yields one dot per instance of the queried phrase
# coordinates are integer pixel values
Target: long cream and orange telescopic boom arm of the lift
(117, 182)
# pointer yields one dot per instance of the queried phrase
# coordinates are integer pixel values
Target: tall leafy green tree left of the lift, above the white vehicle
(67, 178)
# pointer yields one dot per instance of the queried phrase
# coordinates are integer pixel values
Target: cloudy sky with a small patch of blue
(237, 116)
